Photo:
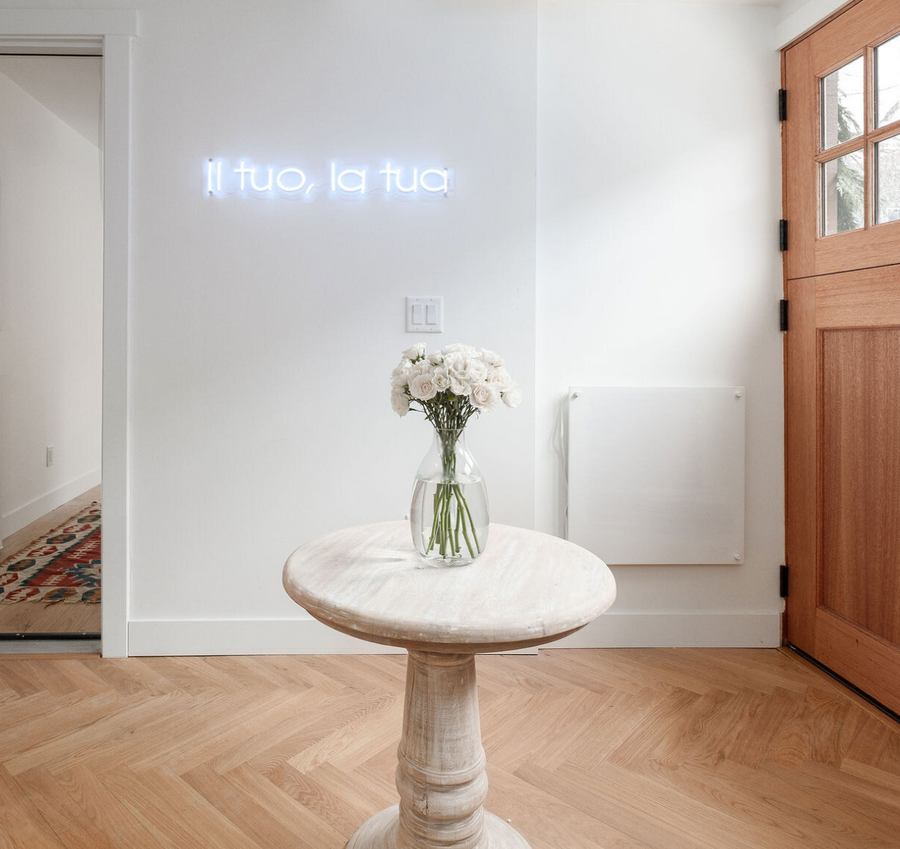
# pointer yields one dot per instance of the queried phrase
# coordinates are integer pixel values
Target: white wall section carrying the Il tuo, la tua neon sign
(264, 331)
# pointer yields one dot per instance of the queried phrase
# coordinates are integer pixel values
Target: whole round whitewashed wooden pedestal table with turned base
(526, 589)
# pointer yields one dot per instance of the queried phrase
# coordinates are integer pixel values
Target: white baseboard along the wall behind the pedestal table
(154, 637)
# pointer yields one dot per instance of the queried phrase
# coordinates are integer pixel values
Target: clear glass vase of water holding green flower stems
(449, 513)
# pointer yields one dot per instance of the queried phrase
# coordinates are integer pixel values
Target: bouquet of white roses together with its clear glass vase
(449, 506)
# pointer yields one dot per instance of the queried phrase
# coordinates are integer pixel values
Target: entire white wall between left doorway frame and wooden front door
(262, 332)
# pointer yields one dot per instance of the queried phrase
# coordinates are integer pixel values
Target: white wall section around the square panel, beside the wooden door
(657, 265)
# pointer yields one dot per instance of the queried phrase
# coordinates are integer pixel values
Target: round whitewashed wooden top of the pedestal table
(527, 588)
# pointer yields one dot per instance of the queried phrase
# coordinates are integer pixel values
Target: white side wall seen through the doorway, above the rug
(50, 308)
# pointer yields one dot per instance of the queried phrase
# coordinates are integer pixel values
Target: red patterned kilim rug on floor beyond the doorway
(63, 565)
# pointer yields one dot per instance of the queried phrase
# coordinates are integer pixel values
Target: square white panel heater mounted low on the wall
(656, 474)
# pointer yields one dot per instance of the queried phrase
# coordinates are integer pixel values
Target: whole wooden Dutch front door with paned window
(842, 347)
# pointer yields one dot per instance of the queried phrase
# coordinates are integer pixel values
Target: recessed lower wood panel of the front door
(860, 414)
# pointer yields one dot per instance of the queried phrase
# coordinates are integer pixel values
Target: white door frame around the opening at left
(106, 33)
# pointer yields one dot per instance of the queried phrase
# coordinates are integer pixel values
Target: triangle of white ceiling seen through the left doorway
(68, 86)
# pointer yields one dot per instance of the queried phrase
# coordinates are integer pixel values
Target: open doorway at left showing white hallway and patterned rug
(51, 348)
